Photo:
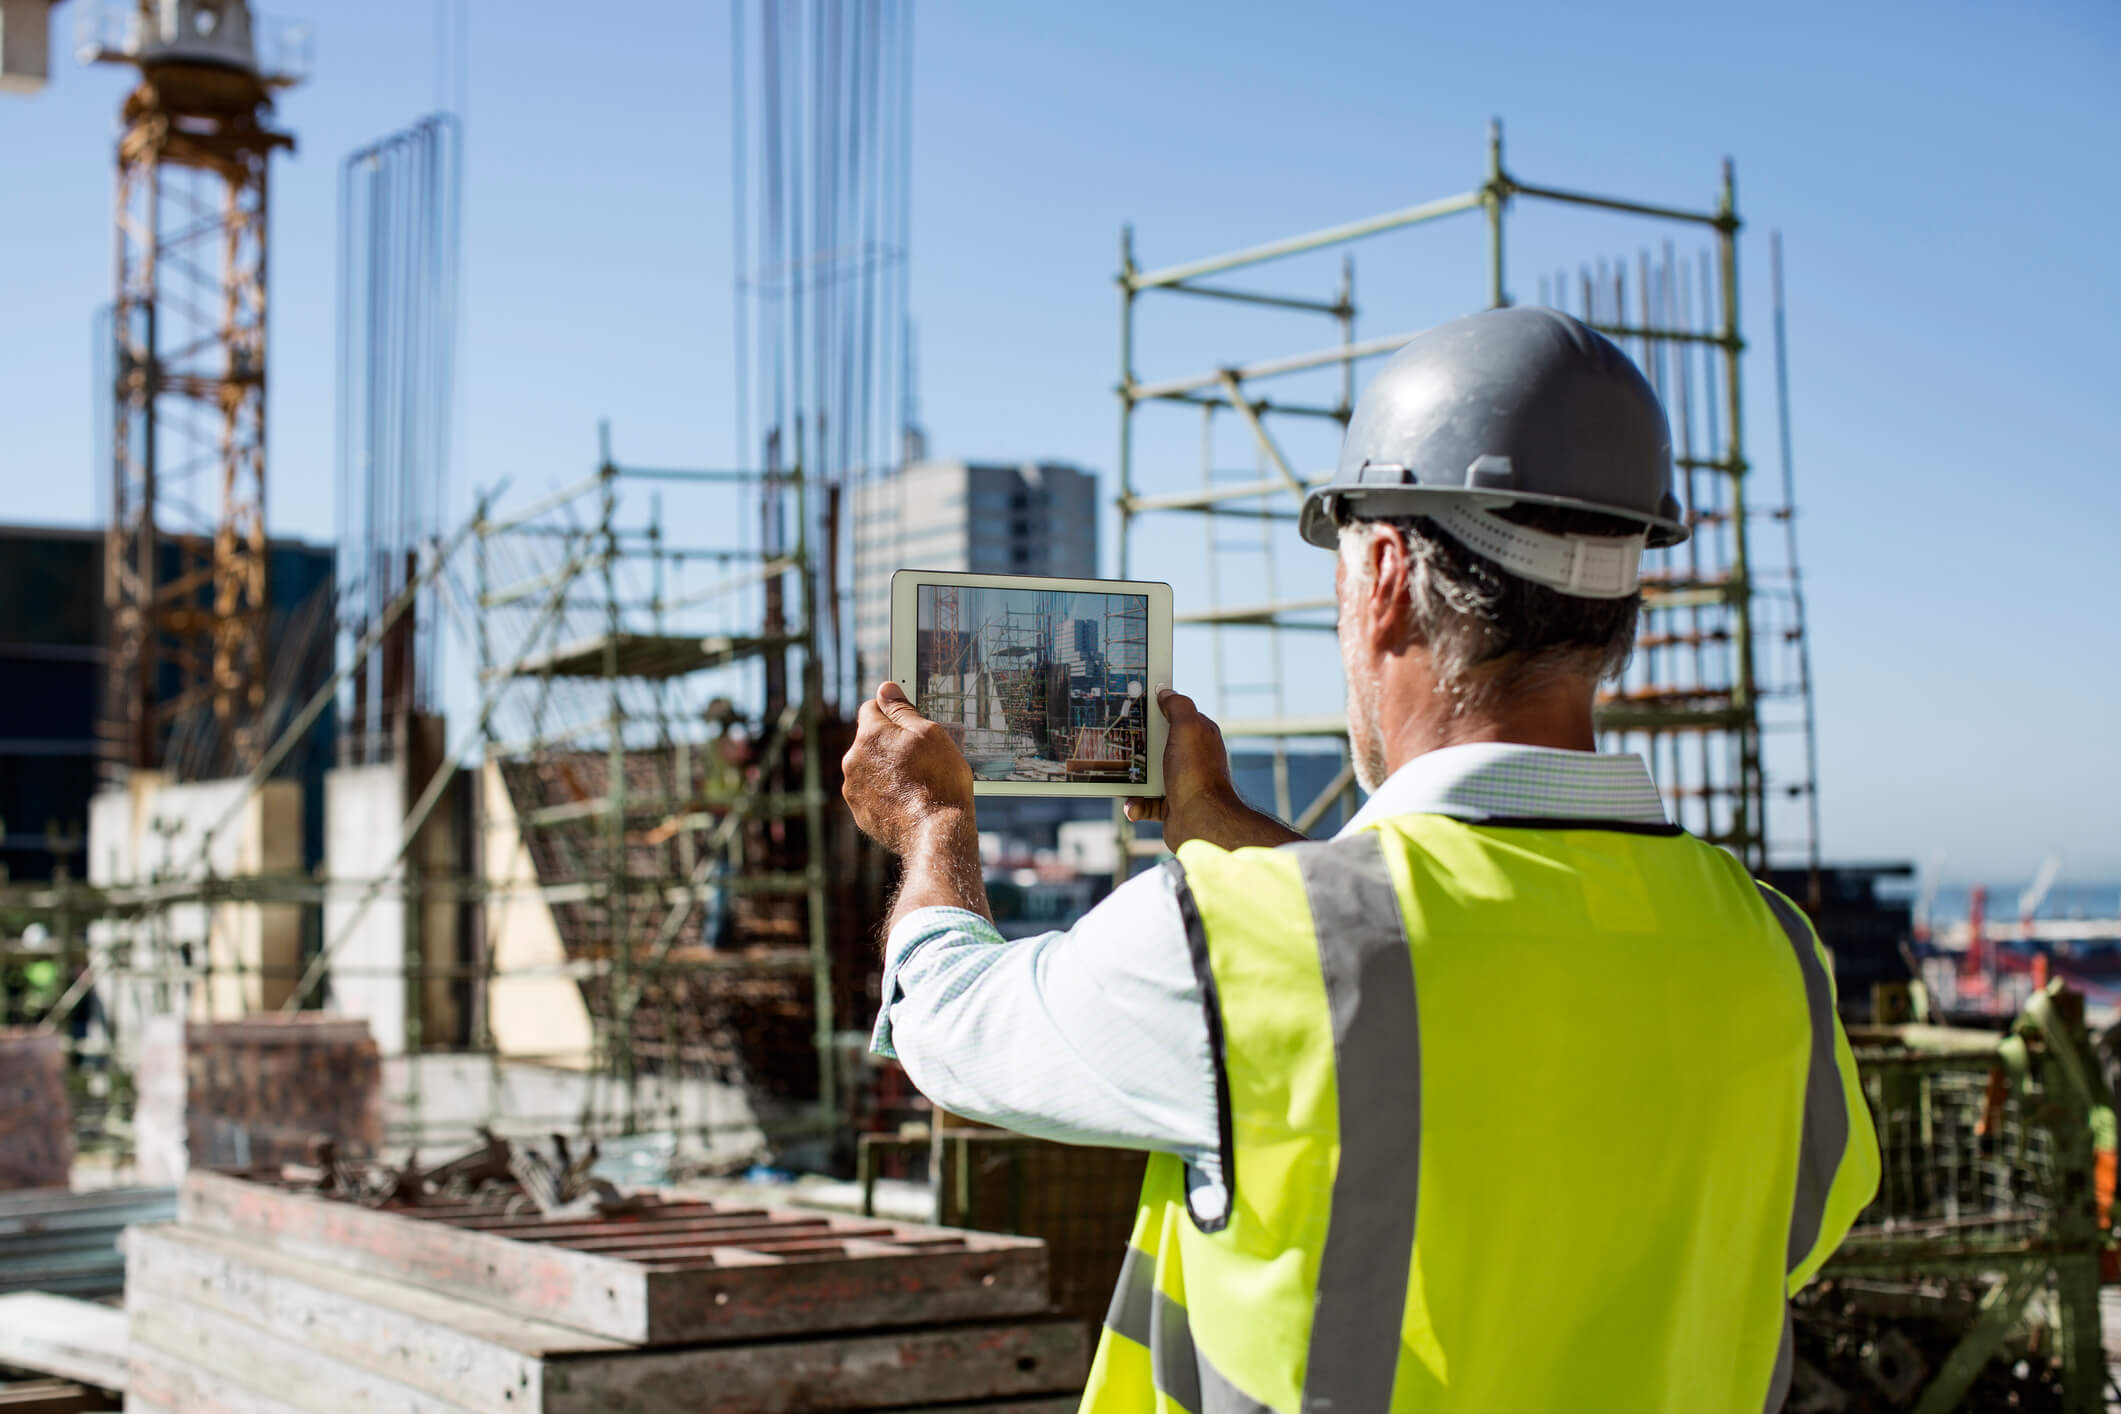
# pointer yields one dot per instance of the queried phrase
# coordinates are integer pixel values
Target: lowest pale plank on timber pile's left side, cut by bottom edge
(287, 1373)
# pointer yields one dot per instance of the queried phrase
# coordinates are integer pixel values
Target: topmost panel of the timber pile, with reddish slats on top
(665, 1275)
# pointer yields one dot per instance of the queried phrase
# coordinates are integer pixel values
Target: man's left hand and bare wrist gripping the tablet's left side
(911, 790)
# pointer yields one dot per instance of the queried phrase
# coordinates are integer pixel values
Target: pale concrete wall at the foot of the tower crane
(251, 953)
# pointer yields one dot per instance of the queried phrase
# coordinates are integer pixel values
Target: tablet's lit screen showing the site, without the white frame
(1038, 686)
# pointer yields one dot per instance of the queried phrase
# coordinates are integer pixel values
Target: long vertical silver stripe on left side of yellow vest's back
(1369, 970)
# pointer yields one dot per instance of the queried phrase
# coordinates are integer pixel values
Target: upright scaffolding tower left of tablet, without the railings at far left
(663, 817)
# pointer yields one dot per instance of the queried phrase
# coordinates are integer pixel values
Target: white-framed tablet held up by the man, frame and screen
(1049, 686)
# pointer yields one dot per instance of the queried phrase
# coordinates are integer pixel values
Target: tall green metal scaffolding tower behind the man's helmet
(1721, 650)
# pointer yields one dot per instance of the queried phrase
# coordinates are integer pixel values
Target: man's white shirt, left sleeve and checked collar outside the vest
(1098, 1036)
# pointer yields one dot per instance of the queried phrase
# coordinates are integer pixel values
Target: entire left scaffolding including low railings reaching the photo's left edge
(676, 821)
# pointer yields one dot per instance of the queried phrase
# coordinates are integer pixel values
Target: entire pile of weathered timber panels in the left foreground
(266, 1301)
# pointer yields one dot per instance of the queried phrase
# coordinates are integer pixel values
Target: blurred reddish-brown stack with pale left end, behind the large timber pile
(258, 1091)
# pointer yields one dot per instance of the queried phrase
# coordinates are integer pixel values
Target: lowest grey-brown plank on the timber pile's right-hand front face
(843, 1373)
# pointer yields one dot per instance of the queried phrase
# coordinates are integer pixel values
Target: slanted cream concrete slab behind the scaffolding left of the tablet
(531, 1006)
